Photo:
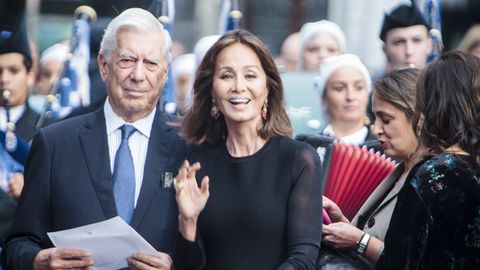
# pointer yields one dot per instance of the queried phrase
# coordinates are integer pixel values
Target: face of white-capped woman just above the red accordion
(346, 96)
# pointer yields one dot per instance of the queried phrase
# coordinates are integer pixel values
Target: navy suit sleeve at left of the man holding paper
(28, 235)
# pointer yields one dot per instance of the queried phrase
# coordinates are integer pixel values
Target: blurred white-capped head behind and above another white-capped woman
(319, 40)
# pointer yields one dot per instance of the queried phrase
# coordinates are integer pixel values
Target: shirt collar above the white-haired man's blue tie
(114, 122)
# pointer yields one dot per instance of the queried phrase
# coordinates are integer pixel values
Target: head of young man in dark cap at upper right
(405, 34)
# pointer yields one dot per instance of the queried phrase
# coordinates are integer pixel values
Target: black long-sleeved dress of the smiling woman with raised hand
(264, 210)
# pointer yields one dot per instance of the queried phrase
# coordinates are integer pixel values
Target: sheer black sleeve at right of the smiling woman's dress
(304, 221)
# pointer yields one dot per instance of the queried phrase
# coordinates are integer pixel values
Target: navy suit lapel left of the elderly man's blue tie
(94, 144)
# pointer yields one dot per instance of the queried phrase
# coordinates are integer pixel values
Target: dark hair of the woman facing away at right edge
(448, 104)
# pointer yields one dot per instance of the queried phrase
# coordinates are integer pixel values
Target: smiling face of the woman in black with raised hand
(239, 85)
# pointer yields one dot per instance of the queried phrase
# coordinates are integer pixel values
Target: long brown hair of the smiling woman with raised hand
(197, 125)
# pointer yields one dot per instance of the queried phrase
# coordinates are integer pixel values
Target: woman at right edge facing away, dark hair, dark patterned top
(436, 221)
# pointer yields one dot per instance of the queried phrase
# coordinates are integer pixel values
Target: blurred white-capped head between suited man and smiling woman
(183, 70)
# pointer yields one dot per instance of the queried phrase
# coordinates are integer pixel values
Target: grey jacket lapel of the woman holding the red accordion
(379, 193)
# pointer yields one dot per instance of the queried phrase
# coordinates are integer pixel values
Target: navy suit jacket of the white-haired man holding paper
(68, 183)
